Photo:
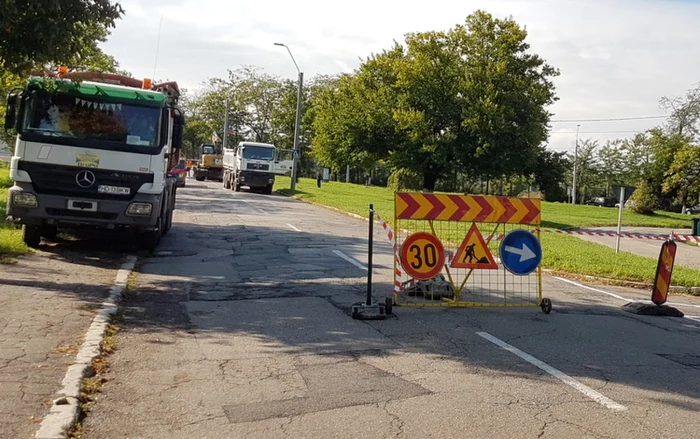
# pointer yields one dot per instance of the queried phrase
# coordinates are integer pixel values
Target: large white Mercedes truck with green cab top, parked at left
(93, 150)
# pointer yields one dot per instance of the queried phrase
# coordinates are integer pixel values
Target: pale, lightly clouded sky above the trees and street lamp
(616, 57)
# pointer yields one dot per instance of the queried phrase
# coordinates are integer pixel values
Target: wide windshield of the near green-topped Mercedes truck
(69, 117)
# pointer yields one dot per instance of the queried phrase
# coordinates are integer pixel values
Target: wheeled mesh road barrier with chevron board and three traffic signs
(446, 251)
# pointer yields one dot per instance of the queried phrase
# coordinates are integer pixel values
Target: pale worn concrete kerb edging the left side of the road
(65, 409)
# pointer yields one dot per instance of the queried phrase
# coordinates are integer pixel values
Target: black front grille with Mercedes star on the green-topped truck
(53, 179)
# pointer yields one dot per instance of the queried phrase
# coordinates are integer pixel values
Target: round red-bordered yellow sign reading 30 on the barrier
(422, 256)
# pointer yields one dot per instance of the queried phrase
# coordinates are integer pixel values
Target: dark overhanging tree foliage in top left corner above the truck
(48, 31)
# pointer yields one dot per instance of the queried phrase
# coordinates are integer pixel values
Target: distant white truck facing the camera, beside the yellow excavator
(255, 165)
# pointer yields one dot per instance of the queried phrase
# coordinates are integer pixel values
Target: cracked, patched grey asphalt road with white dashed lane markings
(239, 328)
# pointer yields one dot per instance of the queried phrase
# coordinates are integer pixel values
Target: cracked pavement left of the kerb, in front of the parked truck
(47, 302)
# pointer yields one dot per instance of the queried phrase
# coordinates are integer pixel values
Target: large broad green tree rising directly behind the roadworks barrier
(471, 100)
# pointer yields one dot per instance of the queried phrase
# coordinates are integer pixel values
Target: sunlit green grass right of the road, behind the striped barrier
(565, 254)
